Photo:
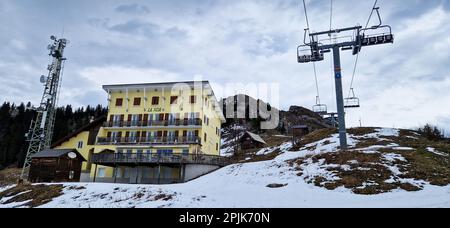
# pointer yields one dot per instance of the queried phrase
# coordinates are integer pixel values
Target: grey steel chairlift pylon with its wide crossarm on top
(313, 50)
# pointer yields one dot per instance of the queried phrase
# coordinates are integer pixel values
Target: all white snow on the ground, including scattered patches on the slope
(245, 185)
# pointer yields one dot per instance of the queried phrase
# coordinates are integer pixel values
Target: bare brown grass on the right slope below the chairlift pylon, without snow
(369, 175)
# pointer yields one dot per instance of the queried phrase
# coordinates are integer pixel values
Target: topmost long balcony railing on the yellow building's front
(154, 123)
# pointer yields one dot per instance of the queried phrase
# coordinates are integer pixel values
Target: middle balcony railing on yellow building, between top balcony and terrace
(148, 140)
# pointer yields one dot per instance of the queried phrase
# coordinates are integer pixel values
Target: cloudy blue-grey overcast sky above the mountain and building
(228, 41)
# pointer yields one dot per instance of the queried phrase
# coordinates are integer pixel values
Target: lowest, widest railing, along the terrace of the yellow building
(140, 158)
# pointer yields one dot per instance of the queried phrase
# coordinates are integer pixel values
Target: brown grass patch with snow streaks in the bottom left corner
(37, 194)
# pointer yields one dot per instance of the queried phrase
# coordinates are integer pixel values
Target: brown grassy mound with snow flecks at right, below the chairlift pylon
(378, 164)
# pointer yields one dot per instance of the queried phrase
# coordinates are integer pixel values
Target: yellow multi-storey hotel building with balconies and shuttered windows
(153, 133)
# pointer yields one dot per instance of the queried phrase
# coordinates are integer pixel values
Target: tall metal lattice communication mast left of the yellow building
(40, 133)
